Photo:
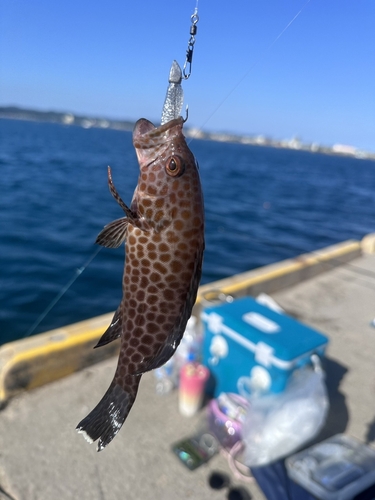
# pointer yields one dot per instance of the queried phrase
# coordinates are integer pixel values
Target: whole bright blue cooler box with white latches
(251, 346)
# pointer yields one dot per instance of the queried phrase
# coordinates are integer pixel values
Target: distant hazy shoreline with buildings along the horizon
(16, 113)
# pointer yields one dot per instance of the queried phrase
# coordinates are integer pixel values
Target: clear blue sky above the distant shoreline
(112, 58)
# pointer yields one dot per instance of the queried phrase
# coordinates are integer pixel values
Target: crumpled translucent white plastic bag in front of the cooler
(278, 424)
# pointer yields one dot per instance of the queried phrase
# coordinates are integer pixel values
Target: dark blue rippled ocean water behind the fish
(262, 205)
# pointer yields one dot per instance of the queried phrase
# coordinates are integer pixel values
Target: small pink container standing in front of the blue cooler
(193, 378)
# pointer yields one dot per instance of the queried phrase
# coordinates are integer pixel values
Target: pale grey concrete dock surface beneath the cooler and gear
(43, 458)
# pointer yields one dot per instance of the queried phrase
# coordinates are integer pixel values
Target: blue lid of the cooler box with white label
(275, 337)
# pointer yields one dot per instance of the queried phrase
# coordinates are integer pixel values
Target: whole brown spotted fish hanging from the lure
(164, 241)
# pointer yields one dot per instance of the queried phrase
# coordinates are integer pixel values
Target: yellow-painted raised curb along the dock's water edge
(35, 361)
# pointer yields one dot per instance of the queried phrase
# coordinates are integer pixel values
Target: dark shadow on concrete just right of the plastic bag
(338, 415)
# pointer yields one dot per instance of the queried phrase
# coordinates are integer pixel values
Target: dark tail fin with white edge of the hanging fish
(106, 419)
